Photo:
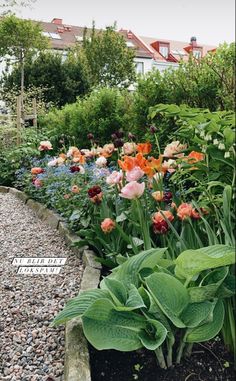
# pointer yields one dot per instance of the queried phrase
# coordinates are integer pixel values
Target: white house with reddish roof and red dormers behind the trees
(150, 52)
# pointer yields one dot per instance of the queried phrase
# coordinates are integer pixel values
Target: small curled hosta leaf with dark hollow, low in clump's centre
(154, 335)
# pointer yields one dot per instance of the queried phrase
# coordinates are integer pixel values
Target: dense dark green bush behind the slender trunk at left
(61, 81)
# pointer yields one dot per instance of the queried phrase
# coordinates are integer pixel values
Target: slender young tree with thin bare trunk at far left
(18, 40)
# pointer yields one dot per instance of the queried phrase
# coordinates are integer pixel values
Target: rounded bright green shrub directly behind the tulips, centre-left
(101, 113)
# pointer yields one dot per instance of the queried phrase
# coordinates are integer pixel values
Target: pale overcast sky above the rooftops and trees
(211, 21)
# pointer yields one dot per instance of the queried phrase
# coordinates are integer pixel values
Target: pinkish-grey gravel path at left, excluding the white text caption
(29, 349)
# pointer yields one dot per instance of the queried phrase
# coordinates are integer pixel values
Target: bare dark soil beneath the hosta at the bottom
(209, 362)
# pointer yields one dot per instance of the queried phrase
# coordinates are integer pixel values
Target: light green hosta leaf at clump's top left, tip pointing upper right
(128, 271)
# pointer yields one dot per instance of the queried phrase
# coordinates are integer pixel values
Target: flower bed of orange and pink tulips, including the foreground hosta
(163, 229)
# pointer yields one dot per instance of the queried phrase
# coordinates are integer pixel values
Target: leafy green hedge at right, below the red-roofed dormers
(208, 83)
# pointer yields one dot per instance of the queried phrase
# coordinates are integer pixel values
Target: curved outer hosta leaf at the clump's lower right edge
(209, 330)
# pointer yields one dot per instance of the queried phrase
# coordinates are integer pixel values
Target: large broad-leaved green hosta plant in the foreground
(165, 306)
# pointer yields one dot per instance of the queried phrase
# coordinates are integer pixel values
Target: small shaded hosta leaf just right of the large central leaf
(196, 313)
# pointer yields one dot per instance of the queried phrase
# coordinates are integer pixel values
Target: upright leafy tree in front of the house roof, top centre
(109, 61)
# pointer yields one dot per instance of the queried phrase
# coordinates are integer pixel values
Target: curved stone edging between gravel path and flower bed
(77, 367)
